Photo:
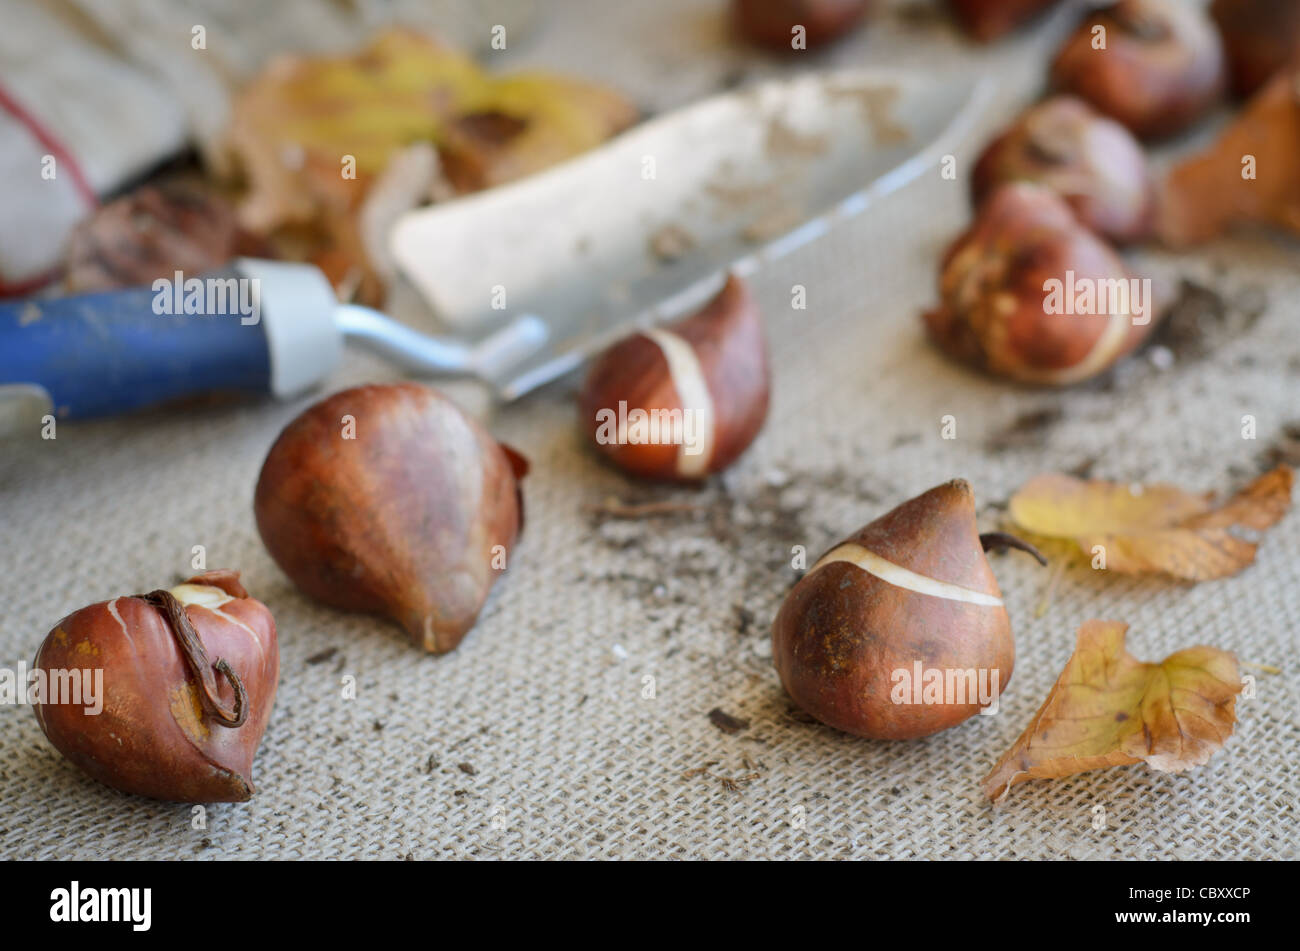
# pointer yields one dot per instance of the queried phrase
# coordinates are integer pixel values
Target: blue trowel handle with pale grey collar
(118, 351)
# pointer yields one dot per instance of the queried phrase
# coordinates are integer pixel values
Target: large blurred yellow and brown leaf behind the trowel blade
(332, 147)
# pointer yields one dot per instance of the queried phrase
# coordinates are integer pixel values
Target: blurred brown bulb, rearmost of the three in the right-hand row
(1163, 67)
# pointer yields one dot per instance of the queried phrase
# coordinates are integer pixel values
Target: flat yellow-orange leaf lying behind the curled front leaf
(1155, 529)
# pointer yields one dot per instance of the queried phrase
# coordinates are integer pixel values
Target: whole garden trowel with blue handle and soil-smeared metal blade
(578, 254)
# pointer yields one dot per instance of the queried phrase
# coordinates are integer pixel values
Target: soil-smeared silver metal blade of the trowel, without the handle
(647, 227)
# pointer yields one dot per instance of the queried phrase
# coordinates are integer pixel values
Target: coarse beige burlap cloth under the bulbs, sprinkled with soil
(574, 722)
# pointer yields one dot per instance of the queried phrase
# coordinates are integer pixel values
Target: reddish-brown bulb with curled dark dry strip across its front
(154, 737)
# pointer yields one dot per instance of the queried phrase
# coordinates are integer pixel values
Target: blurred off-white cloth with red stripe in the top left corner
(120, 86)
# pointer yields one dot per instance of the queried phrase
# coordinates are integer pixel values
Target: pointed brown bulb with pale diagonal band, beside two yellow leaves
(844, 632)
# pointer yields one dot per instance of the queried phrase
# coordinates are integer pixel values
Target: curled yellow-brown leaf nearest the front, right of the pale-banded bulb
(1111, 710)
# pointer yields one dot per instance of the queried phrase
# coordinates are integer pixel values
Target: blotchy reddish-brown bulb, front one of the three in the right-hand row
(996, 311)
